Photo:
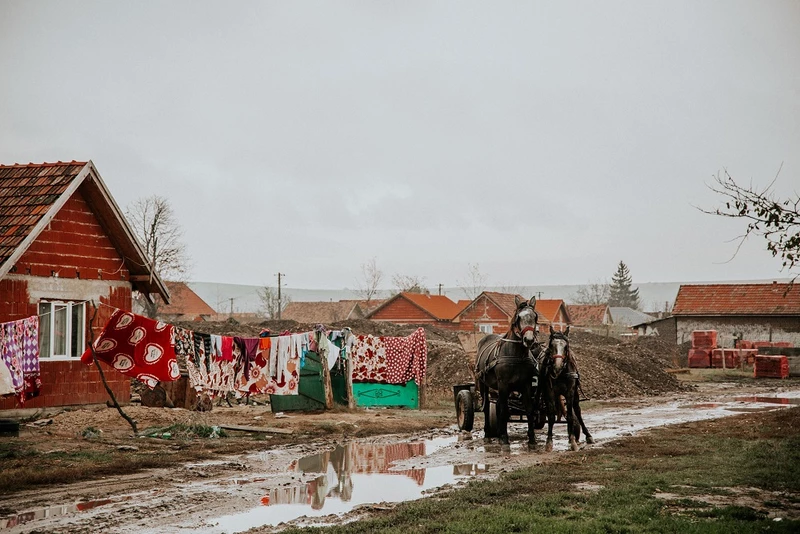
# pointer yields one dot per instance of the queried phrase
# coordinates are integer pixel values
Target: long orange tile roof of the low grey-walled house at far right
(737, 299)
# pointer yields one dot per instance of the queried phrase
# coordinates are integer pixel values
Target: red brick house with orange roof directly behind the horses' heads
(491, 313)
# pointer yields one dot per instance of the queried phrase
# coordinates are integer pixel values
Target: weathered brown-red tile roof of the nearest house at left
(26, 194)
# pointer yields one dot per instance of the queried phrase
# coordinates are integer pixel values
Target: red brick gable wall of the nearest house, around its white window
(75, 247)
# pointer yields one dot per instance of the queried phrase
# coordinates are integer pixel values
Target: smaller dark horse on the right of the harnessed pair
(559, 376)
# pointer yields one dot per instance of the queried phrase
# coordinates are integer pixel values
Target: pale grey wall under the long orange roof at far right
(756, 328)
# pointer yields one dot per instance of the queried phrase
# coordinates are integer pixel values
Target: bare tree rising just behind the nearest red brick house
(157, 228)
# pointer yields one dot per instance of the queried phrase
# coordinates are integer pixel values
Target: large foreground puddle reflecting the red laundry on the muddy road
(350, 475)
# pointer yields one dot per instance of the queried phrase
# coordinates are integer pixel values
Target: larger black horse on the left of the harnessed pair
(506, 364)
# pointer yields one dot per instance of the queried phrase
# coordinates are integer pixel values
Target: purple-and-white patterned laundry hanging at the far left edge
(19, 355)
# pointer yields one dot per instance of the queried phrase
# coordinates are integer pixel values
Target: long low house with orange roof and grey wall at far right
(758, 312)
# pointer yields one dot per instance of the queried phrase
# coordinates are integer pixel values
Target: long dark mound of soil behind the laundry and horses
(609, 367)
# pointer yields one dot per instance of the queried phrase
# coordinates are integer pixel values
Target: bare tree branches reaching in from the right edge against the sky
(776, 220)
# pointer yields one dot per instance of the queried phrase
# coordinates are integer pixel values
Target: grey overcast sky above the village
(544, 140)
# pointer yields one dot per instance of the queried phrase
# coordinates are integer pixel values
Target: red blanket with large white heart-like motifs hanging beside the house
(137, 346)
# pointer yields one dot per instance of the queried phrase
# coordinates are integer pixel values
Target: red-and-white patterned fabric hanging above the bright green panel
(390, 360)
